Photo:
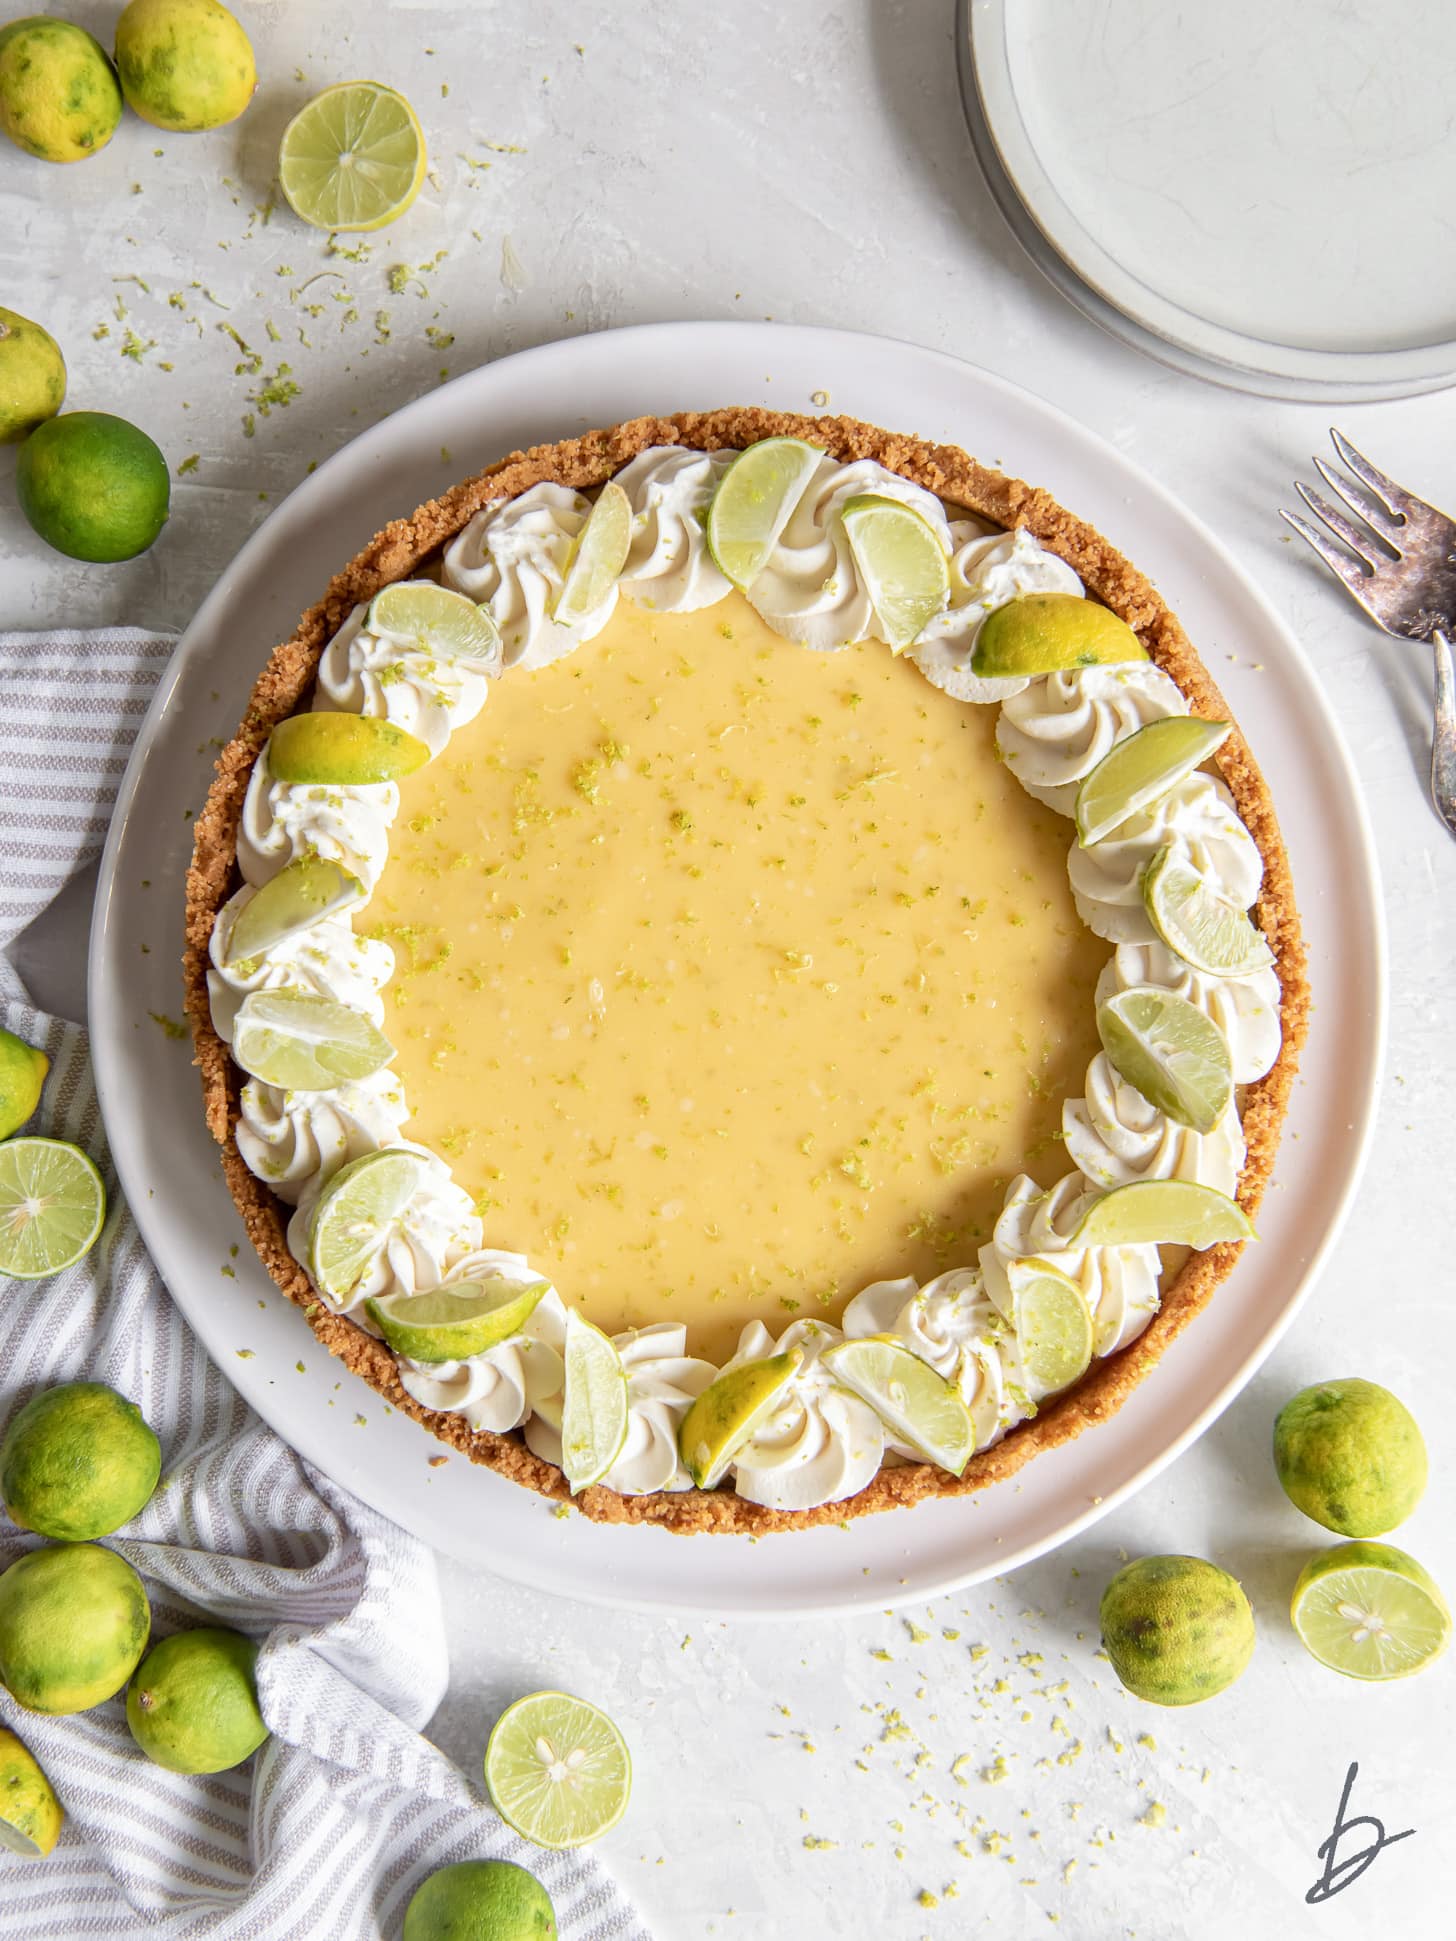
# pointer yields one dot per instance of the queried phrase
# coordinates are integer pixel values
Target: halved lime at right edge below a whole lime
(1372, 1612)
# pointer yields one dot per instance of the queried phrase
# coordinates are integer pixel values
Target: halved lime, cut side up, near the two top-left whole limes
(354, 158)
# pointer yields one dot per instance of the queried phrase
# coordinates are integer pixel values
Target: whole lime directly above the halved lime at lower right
(1350, 1457)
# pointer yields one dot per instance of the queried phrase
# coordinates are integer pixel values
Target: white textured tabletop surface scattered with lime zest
(811, 164)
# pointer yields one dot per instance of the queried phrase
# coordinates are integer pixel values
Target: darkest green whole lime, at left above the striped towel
(94, 486)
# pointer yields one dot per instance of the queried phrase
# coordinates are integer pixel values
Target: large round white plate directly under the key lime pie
(150, 1092)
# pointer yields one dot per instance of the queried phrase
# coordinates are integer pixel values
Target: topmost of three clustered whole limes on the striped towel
(79, 1463)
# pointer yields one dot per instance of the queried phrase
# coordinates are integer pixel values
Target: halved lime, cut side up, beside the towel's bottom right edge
(558, 1771)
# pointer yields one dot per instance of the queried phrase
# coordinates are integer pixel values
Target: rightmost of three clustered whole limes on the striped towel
(193, 1705)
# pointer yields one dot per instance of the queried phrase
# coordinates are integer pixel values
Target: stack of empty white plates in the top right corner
(1255, 195)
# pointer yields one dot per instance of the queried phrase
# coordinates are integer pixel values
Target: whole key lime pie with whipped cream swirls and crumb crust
(743, 971)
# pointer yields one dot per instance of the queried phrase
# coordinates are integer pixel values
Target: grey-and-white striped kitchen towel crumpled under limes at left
(331, 1827)
